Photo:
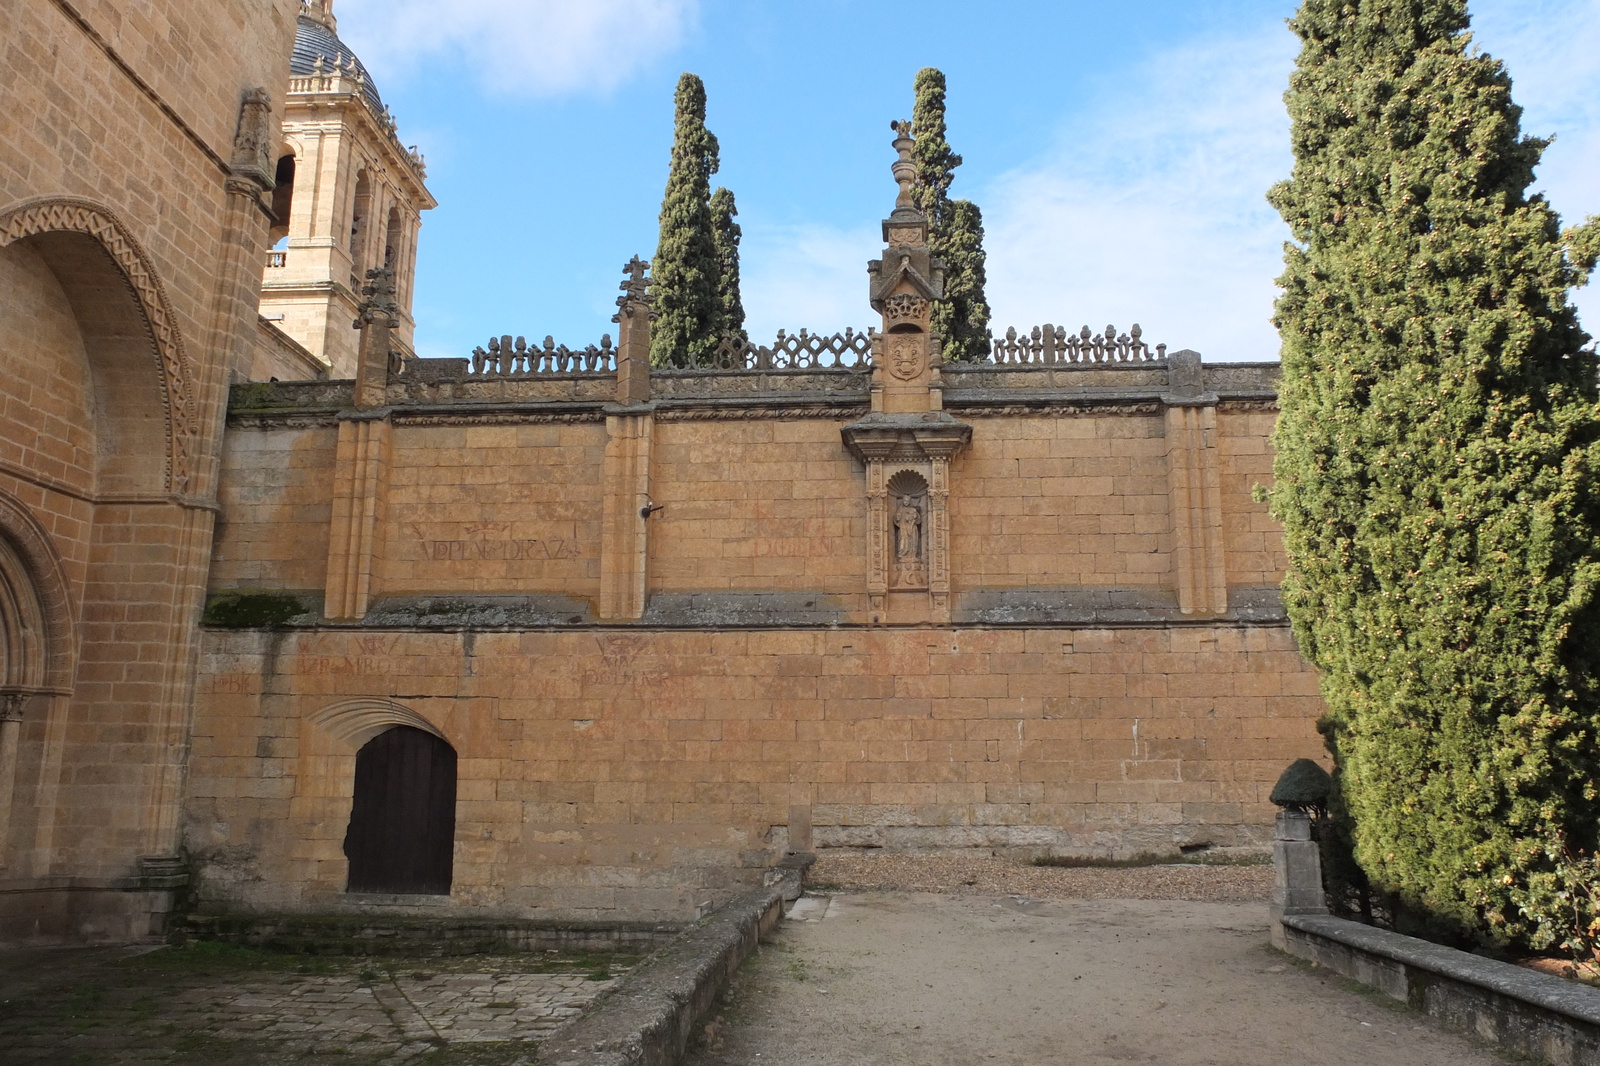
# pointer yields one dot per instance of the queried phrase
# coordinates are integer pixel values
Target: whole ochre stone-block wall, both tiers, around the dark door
(1079, 699)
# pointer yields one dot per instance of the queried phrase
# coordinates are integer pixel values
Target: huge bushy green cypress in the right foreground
(1439, 476)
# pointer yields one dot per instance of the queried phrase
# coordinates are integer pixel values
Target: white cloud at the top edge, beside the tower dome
(516, 47)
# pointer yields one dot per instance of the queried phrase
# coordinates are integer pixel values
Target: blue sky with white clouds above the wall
(1121, 153)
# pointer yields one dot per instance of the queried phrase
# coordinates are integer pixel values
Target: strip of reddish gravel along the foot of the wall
(988, 876)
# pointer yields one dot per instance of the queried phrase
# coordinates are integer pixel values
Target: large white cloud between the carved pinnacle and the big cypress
(1151, 207)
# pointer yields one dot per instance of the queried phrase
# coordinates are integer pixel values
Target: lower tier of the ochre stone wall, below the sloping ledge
(615, 774)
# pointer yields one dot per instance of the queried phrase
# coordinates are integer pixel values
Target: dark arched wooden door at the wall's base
(404, 814)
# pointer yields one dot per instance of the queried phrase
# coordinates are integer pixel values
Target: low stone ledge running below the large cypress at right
(1521, 1011)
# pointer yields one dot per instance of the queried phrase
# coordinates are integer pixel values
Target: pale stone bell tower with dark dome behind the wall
(350, 201)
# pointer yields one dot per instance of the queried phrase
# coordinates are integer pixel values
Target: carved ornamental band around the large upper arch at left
(86, 217)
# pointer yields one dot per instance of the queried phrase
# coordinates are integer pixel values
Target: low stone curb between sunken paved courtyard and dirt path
(649, 1017)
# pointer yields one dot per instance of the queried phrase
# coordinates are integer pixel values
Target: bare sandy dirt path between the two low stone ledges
(895, 979)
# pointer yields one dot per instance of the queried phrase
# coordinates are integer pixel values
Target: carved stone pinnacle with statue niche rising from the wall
(906, 443)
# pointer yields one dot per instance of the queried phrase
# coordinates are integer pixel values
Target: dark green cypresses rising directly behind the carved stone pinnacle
(958, 230)
